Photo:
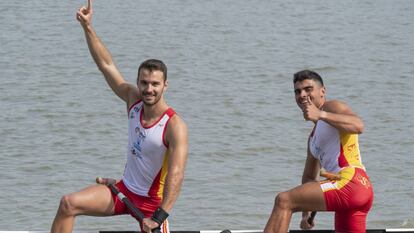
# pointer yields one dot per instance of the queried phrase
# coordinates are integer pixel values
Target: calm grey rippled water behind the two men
(230, 69)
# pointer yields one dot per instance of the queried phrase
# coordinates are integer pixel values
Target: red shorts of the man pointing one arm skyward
(147, 205)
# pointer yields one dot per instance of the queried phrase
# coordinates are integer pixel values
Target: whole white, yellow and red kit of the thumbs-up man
(351, 195)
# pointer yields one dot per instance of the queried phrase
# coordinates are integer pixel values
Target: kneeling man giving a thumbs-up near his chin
(333, 146)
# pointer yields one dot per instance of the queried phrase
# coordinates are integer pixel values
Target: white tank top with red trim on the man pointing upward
(146, 165)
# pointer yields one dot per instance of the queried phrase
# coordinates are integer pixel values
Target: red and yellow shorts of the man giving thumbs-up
(351, 198)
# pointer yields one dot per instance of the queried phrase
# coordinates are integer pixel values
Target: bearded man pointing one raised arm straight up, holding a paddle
(157, 146)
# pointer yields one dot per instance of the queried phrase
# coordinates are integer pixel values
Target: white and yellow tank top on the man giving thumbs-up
(334, 149)
